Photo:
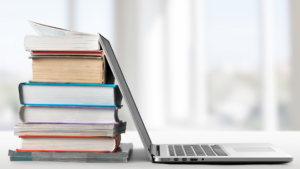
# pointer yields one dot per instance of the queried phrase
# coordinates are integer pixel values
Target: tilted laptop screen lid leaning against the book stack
(112, 60)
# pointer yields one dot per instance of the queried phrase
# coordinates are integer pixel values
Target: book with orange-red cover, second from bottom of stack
(59, 143)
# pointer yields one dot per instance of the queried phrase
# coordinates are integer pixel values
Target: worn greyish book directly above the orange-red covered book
(69, 129)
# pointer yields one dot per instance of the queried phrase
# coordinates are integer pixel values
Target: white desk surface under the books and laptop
(287, 141)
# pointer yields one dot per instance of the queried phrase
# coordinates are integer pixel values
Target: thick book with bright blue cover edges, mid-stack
(70, 94)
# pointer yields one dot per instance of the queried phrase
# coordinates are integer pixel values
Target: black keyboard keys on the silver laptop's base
(196, 150)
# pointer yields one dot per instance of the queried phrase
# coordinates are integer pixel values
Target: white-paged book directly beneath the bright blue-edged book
(69, 115)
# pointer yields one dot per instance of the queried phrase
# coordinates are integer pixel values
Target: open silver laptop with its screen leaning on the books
(191, 153)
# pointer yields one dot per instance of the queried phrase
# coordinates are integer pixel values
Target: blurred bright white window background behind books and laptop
(190, 64)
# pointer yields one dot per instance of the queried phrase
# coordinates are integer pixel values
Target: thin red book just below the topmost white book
(89, 53)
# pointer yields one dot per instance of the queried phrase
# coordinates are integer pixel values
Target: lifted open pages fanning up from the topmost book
(46, 30)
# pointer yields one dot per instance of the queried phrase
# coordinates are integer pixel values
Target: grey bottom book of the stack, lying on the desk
(122, 154)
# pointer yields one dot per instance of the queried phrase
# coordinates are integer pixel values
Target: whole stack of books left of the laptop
(70, 108)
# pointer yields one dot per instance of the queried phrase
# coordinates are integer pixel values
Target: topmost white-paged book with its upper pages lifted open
(57, 39)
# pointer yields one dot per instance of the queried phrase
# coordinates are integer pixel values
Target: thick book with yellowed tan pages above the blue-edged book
(71, 69)
